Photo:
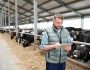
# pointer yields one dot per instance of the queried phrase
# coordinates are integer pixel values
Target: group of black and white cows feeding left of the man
(26, 37)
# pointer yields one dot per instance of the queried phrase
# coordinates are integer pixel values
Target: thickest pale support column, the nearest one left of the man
(35, 20)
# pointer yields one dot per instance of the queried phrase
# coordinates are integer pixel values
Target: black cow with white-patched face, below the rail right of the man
(81, 51)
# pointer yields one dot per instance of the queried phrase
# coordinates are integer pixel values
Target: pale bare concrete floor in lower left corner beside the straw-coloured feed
(8, 60)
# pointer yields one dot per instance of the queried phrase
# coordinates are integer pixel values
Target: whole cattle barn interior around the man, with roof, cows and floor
(20, 46)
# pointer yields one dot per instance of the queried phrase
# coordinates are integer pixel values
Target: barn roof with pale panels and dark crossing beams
(47, 8)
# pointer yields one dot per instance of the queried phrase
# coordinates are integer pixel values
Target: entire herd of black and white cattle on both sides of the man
(78, 51)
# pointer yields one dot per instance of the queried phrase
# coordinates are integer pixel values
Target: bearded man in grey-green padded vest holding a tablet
(52, 41)
